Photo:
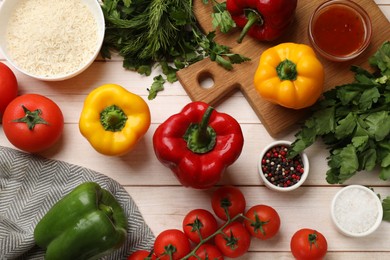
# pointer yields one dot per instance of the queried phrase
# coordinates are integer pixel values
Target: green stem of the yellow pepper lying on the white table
(113, 118)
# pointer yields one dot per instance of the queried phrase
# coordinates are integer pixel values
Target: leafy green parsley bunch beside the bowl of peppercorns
(353, 120)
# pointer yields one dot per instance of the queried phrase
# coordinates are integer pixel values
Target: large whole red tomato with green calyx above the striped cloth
(33, 122)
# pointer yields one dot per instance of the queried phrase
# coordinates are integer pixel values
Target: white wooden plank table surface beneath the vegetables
(164, 202)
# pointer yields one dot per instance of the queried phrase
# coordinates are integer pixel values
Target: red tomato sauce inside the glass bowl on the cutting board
(339, 30)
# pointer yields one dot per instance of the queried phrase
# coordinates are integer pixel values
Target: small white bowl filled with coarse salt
(356, 211)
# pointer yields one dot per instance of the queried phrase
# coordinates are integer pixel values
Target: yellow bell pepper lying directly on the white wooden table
(114, 119)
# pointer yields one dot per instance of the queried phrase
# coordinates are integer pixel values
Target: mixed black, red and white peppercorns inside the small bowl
(279, 170)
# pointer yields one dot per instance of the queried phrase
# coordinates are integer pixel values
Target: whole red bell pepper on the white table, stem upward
(198, 144)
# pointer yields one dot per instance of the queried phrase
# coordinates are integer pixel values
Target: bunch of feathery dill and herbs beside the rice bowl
(162, 33)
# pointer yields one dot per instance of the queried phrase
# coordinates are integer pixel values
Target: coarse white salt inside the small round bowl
(356, 210)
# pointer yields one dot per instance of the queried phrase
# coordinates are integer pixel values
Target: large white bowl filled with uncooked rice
(51, 40)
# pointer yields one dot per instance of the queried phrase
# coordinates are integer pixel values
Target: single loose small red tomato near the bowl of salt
(308, 244)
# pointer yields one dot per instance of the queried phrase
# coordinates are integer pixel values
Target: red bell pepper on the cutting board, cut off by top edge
(264, 20)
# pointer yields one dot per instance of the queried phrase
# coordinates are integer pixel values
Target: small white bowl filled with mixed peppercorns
(280, 173)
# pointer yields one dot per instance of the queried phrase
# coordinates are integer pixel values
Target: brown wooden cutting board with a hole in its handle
(276, 119)
